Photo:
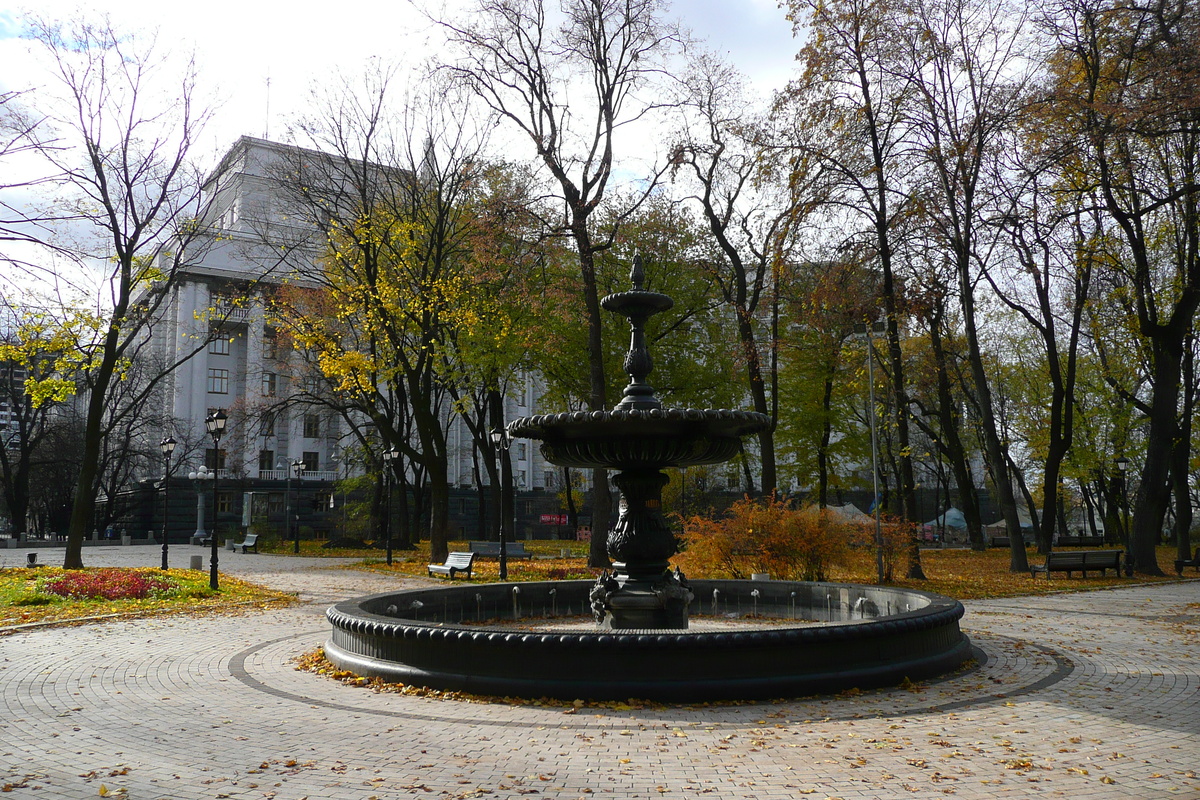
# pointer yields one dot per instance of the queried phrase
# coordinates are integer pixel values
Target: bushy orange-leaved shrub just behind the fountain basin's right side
(766, 536)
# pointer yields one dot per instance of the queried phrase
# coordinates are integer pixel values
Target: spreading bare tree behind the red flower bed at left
(116, 143)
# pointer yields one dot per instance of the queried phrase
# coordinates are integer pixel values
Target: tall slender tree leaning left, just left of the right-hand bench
(959, 63)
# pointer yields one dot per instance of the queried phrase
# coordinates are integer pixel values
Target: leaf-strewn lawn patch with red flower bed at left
(56, 596)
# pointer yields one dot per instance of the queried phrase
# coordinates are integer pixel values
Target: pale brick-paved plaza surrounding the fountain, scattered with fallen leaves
(1078, 696)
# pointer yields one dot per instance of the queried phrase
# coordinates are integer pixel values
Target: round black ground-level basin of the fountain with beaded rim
(453, 639)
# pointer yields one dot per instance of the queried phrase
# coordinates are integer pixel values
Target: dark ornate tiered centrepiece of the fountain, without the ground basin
(638, 440)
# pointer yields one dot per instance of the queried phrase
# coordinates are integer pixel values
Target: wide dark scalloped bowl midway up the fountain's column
(640, 438)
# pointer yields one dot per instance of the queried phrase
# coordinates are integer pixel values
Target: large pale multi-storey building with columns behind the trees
(244, 370)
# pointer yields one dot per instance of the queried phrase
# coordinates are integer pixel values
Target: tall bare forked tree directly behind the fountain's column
(569, 86)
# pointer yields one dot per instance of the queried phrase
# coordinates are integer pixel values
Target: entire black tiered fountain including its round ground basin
(770, 639)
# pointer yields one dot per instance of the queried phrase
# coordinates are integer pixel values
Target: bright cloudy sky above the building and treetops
(247, 46)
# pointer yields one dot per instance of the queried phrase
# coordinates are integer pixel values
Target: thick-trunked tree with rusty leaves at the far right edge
(1126, 97)
